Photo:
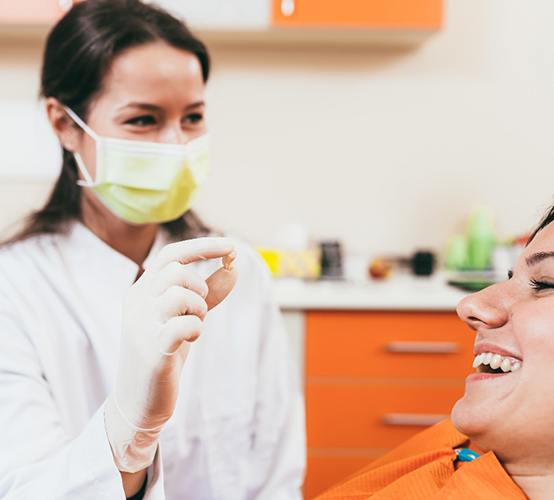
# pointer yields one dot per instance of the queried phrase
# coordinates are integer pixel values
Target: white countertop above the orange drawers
(401, 292)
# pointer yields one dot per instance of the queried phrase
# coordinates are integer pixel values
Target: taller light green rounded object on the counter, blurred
(480, 240)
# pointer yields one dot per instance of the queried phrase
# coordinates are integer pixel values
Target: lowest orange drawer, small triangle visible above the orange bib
(326, 470)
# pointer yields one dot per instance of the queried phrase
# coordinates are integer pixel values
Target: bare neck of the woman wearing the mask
(132, 241)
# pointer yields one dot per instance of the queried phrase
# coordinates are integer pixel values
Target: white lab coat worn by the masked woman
(237, 431)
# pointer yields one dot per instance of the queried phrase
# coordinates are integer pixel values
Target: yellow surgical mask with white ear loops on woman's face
(145, 182)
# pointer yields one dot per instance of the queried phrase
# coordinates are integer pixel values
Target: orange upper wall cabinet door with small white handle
(380, 14)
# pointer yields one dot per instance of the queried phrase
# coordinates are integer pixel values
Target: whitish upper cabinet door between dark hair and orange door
(221, 14)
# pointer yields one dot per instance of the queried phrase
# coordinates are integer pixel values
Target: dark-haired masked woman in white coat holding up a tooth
(102, 394)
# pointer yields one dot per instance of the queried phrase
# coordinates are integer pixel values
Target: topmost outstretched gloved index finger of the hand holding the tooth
(195, 250)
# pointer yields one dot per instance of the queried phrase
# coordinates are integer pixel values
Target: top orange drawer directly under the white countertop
(387, 344)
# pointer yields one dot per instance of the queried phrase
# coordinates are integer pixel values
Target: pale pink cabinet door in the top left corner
(30, 12)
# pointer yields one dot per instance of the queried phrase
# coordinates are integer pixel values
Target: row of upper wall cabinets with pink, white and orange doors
(259, 21)
